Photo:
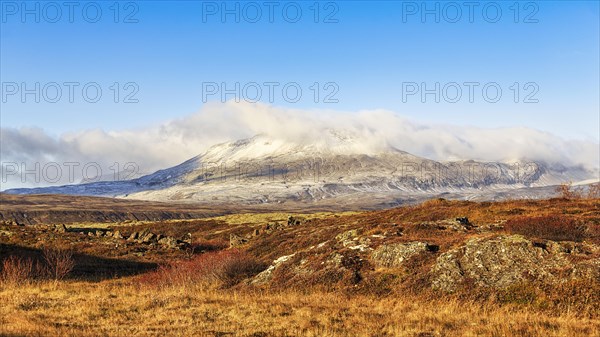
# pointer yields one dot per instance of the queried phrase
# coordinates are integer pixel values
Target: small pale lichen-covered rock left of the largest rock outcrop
(394, 255)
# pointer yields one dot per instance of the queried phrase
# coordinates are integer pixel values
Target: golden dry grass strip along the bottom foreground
(123, 309)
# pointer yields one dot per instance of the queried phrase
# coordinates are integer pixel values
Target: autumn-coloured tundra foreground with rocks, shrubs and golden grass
(439, 268)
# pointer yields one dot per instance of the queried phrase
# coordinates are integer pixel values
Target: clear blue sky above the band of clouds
(368, 54)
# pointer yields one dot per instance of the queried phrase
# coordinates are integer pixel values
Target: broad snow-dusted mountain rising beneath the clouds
(338, 169)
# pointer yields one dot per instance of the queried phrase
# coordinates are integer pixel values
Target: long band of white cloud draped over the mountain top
(174, 141)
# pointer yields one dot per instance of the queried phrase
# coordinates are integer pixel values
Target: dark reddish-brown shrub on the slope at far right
(549, 227)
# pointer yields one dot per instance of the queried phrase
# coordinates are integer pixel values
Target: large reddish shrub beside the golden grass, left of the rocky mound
(225, 268)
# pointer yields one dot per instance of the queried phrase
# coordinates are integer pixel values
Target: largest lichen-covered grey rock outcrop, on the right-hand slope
(496, 262)
